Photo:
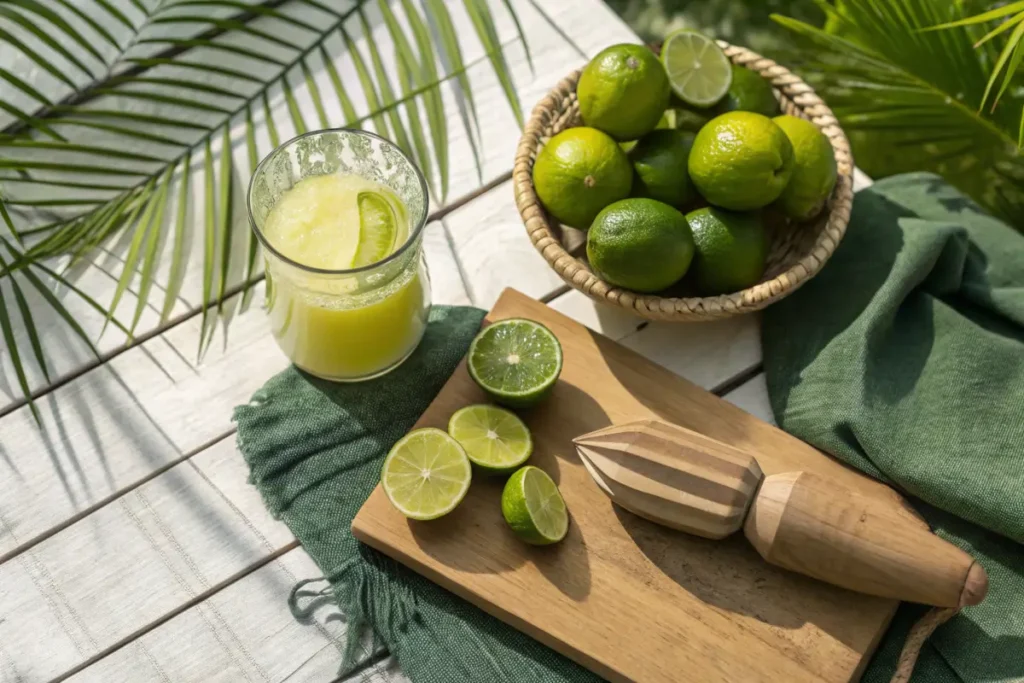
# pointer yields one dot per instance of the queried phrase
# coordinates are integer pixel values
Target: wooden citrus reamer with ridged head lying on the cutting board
(797, 521)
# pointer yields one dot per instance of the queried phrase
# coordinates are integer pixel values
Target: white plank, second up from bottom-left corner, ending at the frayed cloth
(108, 577)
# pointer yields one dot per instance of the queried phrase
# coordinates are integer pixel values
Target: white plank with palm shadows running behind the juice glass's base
(144, 411)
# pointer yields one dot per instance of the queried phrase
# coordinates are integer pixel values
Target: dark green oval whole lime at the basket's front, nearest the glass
(641, 244)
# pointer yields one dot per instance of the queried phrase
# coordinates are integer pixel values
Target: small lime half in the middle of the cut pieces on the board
(495, 440)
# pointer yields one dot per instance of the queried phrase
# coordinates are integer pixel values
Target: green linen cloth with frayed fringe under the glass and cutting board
(315, 451)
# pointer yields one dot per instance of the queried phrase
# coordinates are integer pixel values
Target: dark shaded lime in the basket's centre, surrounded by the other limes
(660, 167)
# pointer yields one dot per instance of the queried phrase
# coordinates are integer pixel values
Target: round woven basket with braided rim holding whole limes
(797, 251)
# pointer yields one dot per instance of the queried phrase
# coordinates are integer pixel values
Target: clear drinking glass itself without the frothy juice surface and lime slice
(352, 325)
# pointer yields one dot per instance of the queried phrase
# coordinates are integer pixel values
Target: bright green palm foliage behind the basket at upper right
(915, 100)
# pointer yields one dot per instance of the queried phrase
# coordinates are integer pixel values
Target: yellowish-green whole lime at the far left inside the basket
(579, 173)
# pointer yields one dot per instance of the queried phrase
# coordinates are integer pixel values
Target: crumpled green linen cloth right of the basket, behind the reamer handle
(905, 358)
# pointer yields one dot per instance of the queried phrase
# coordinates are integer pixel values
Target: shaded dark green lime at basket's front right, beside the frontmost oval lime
(732, 249)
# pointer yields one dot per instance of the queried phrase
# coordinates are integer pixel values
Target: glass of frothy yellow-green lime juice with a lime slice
(340, 215)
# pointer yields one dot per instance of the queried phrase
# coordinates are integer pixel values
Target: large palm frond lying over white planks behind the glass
(105, 149)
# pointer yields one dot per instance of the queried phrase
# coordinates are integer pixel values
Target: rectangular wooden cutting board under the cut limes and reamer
(629, 600)
